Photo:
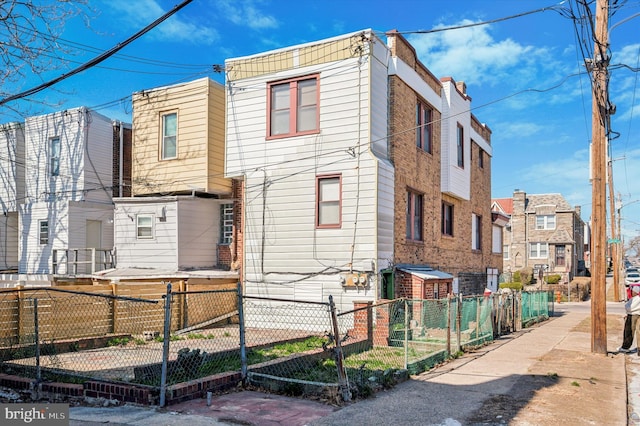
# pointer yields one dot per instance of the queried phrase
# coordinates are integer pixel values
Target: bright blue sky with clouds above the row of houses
(525, 75)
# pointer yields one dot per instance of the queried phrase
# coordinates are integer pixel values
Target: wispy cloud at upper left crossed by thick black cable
(139, 13)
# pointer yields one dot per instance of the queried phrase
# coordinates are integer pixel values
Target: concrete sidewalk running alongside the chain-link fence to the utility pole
(542, 375)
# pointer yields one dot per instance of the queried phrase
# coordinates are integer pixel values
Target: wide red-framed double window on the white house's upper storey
(293, 107)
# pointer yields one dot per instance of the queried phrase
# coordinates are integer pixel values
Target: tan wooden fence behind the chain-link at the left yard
(78, 311)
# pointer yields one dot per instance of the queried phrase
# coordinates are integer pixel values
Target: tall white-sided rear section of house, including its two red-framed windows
(318, 202)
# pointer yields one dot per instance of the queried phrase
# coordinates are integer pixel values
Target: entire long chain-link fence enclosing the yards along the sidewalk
(291, 347)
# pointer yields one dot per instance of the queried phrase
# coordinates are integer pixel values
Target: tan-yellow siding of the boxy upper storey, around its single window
(200, 141)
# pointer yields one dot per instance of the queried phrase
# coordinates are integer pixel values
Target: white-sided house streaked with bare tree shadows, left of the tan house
(68, 177)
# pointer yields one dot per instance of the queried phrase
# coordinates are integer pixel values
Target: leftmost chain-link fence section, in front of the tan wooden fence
(54, 334)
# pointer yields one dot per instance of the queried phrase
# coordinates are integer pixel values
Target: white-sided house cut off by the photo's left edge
(11, 191)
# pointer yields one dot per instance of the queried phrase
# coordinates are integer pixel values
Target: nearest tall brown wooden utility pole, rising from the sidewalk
(600, 106)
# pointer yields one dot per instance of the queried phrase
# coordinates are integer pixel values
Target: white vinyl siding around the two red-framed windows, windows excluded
(296, 247)
